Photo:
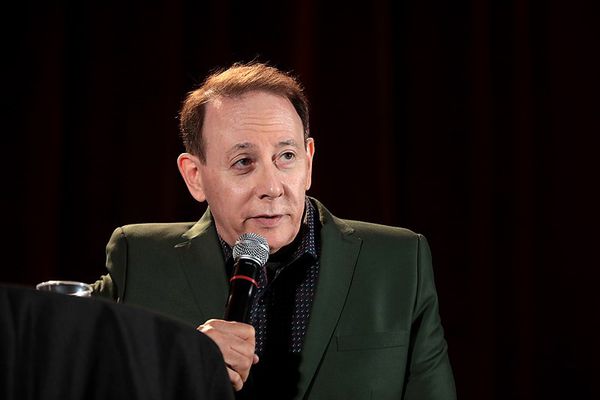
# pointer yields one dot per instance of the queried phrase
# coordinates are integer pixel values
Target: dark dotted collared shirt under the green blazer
(281, 308)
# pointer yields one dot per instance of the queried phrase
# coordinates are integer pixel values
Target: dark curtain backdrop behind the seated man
(472, 122)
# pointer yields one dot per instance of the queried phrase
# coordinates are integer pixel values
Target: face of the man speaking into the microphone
(257, 167)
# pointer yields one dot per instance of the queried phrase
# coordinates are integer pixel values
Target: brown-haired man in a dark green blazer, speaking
(345, 309)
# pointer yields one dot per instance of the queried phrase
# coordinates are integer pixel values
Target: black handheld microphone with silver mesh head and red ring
(250, 254)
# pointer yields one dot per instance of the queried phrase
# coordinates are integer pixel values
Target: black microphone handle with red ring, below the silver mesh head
(243, 285)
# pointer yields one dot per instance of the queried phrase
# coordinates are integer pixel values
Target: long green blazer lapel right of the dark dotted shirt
(339, 253)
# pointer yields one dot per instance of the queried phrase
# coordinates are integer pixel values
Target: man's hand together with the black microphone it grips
(234, 336)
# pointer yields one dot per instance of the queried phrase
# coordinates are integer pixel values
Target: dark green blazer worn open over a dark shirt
(374, 330)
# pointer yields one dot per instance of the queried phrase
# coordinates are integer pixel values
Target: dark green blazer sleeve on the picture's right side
(430, 375)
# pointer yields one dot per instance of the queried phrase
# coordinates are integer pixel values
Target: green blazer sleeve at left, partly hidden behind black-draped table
(112, 285)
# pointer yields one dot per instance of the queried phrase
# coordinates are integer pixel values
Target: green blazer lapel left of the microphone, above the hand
(204, 267)
